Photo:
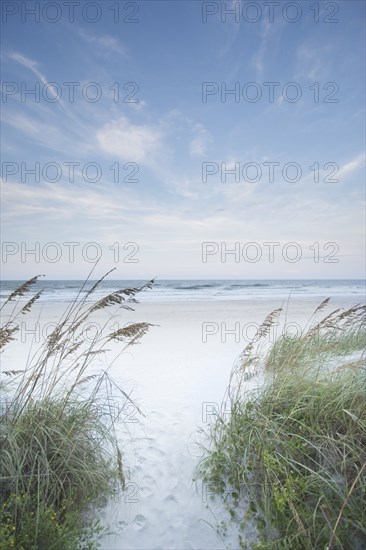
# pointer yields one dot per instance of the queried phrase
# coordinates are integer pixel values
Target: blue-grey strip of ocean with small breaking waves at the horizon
(199, 290)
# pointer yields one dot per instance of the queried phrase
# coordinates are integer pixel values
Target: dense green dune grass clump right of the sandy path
(291, 456)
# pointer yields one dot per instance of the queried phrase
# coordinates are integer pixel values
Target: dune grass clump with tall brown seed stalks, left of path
(59, 454)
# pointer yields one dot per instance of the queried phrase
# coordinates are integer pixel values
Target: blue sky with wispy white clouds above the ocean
(183, 139)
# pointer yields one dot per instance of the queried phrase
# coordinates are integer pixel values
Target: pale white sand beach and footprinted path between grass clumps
(175, 378)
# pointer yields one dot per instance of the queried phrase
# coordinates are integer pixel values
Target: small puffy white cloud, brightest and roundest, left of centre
(130, 142)
